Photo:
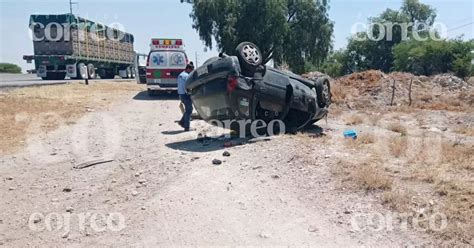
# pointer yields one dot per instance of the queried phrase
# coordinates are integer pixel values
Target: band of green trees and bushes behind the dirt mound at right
(420, 52)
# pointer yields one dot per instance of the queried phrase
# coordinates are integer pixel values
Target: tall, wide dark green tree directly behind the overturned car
(297, 32)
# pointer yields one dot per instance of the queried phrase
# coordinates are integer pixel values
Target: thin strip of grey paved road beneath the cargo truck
(26, 80)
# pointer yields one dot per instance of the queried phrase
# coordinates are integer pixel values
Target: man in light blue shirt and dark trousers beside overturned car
(185, 98)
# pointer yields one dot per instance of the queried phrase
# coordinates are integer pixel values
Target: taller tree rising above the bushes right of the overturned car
(373, 49)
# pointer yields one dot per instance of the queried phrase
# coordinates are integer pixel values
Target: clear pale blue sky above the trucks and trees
(147, 19)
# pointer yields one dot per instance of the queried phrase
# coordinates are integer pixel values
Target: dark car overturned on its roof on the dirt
(242, 88)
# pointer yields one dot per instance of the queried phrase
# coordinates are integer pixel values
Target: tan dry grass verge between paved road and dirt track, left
(31, 110)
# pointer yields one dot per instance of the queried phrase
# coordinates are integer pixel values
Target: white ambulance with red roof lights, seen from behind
(166, 60)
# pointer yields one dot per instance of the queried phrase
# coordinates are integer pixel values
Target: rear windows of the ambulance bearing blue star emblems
(167, 59)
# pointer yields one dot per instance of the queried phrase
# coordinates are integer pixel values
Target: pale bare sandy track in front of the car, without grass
(279, 192)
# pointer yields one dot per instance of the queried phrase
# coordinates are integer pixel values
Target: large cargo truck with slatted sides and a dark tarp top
(68, 45)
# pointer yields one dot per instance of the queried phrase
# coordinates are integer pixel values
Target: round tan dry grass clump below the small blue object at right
(372, 177)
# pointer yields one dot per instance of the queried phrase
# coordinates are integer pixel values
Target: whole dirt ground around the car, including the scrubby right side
(314, 188)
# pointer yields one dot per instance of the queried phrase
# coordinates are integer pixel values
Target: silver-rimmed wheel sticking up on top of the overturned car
(250, 57)
